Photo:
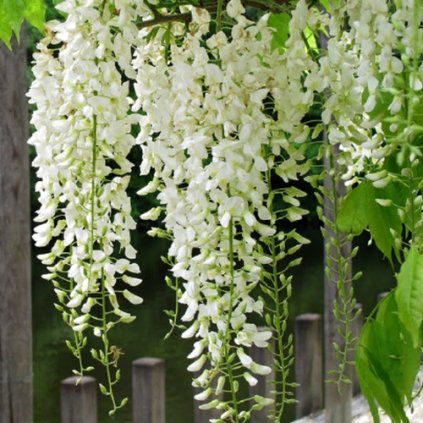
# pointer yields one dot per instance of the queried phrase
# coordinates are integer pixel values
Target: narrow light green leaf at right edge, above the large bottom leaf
(409, 294)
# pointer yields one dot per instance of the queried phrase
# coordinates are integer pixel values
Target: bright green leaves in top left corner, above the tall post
(14, 12)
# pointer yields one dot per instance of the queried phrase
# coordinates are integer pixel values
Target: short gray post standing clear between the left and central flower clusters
(148, 390)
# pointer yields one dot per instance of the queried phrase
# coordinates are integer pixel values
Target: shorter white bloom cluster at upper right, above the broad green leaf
(363, 75)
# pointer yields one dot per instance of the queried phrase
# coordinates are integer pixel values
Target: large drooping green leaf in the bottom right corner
(387, 362)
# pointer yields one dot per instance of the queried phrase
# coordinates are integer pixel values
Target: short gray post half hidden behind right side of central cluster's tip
(264, 386)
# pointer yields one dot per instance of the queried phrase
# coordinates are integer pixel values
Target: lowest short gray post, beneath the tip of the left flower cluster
(78, 399)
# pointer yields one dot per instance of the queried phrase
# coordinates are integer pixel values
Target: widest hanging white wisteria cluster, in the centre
(213, 144)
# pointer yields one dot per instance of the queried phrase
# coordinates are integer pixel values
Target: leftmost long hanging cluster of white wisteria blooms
(82, 139)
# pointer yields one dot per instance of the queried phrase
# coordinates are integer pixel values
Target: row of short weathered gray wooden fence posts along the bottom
(79, 402)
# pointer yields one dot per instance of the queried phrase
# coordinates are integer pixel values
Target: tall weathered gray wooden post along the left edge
(15, 272)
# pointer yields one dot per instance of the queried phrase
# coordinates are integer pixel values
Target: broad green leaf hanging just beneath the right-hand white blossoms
(360, 210)
